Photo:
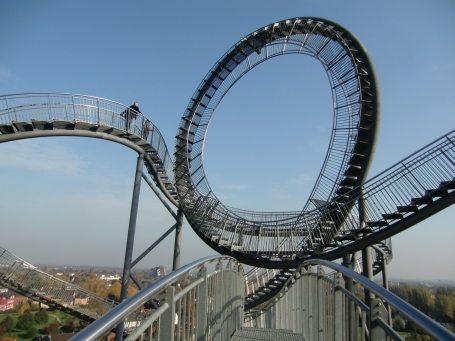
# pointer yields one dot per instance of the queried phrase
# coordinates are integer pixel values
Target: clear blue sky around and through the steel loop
(67, 200)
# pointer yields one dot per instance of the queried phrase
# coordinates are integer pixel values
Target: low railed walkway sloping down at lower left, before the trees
(20, 276)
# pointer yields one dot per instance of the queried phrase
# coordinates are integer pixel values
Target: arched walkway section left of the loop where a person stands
(32, 115)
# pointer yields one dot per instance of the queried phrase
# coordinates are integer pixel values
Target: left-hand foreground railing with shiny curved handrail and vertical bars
(210, 308)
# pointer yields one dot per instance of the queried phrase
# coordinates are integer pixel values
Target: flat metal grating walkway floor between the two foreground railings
(251, 334)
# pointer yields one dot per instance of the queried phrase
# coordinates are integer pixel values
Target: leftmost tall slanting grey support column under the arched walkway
(130, 240)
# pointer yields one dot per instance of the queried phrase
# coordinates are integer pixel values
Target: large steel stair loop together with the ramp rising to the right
(342, 215)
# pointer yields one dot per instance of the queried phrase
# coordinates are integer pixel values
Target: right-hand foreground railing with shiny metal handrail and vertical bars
(323, 307)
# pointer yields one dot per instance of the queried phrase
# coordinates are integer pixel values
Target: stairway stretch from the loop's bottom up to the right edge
(423, 178)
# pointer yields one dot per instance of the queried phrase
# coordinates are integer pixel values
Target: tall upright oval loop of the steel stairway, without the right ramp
(281, 237)
